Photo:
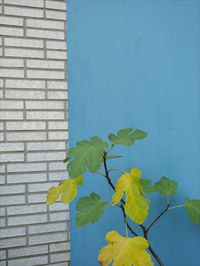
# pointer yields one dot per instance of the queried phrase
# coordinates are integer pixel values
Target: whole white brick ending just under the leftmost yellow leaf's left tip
(27, 209)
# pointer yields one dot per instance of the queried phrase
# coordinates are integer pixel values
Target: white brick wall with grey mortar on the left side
(33, 132)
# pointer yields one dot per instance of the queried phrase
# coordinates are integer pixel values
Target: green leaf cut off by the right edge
(193, 209)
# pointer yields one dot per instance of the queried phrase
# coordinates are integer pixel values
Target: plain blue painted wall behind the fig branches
(136, 64)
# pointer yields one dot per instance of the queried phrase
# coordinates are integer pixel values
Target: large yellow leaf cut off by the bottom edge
(125, 251)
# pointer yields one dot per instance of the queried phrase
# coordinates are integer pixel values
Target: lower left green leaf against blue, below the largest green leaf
(90, 209)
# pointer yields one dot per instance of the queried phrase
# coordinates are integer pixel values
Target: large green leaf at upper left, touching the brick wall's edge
(86, 156)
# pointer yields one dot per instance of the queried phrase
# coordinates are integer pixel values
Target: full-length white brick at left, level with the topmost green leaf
(26, 136)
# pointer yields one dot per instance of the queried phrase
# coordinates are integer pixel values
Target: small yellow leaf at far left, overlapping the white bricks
(68, 189)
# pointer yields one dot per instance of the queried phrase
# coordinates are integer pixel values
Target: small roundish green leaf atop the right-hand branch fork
(166, 186)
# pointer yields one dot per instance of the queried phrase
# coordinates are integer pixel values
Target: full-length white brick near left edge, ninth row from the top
(25, 84)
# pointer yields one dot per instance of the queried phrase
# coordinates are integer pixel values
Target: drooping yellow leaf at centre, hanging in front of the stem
(136, 206)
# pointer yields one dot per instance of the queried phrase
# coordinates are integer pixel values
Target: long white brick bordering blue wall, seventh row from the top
(50, 64)
